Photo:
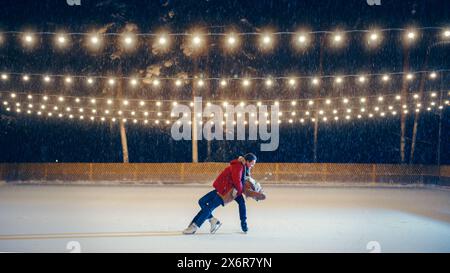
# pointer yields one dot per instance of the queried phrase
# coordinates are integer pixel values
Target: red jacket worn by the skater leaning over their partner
(230, 178)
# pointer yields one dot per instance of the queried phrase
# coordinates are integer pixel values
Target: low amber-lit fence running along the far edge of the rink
(179, 173)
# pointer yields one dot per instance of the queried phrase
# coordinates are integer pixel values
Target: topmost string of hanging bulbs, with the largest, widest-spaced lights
(162, 41)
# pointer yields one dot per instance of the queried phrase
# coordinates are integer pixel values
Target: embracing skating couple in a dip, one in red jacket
(228, 186)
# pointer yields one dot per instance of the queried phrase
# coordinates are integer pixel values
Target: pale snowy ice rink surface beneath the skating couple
(62, 218)
